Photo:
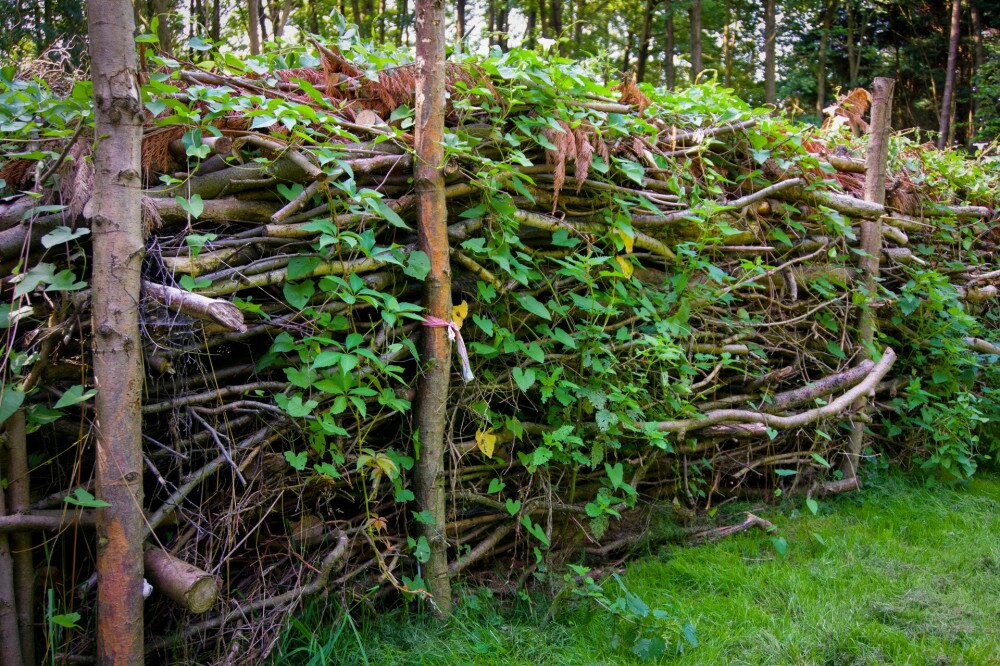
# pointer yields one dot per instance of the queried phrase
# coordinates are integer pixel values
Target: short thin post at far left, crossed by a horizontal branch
(24, 571)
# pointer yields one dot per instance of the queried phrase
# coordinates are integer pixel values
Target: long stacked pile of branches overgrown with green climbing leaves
(658, 294)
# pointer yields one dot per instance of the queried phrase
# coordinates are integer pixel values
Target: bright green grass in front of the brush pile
(897, 574)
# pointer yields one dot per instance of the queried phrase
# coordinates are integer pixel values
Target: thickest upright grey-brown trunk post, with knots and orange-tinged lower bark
(116, 227)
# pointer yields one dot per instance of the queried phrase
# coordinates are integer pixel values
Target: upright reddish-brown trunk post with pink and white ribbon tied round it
(432, 233)
